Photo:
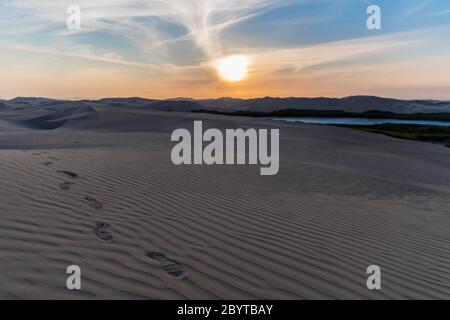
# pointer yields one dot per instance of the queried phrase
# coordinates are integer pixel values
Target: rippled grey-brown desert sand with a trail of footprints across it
(95, 187)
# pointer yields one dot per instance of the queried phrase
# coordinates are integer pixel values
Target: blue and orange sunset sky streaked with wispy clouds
(171, 48)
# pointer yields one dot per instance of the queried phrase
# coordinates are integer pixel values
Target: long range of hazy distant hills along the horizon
(354, 104)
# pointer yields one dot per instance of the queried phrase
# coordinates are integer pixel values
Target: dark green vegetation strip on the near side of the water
(410, 132)
